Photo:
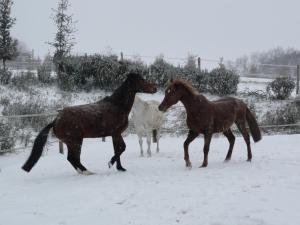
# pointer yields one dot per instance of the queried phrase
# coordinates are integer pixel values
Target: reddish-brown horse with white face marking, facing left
(208, 117)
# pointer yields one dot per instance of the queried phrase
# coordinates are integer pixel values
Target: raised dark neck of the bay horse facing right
(123, 97)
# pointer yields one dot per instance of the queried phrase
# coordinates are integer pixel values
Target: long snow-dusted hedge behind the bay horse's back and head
(105, 72)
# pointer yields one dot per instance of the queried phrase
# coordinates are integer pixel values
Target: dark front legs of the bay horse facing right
(119, 148)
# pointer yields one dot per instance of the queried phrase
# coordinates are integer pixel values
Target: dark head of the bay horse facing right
(140, 84)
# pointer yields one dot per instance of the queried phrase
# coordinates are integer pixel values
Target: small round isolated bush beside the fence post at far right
(281, 88)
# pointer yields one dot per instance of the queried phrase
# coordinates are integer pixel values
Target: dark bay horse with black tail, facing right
(107, 117)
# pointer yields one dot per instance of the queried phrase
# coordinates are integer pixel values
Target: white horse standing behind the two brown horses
(147, 120)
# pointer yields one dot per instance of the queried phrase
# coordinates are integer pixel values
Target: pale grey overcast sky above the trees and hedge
(210, 28)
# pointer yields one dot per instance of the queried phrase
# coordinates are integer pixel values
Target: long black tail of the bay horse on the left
(37, 148)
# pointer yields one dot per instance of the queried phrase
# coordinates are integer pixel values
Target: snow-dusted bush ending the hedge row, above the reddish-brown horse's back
(222, 81)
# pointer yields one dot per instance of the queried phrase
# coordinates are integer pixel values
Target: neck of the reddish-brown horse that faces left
(189, 100)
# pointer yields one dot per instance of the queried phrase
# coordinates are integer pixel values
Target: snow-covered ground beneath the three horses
(157, 190)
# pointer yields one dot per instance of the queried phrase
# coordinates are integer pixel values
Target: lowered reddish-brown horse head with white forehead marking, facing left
(172, 96)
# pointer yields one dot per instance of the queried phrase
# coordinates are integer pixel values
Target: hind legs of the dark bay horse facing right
(74, 150)
